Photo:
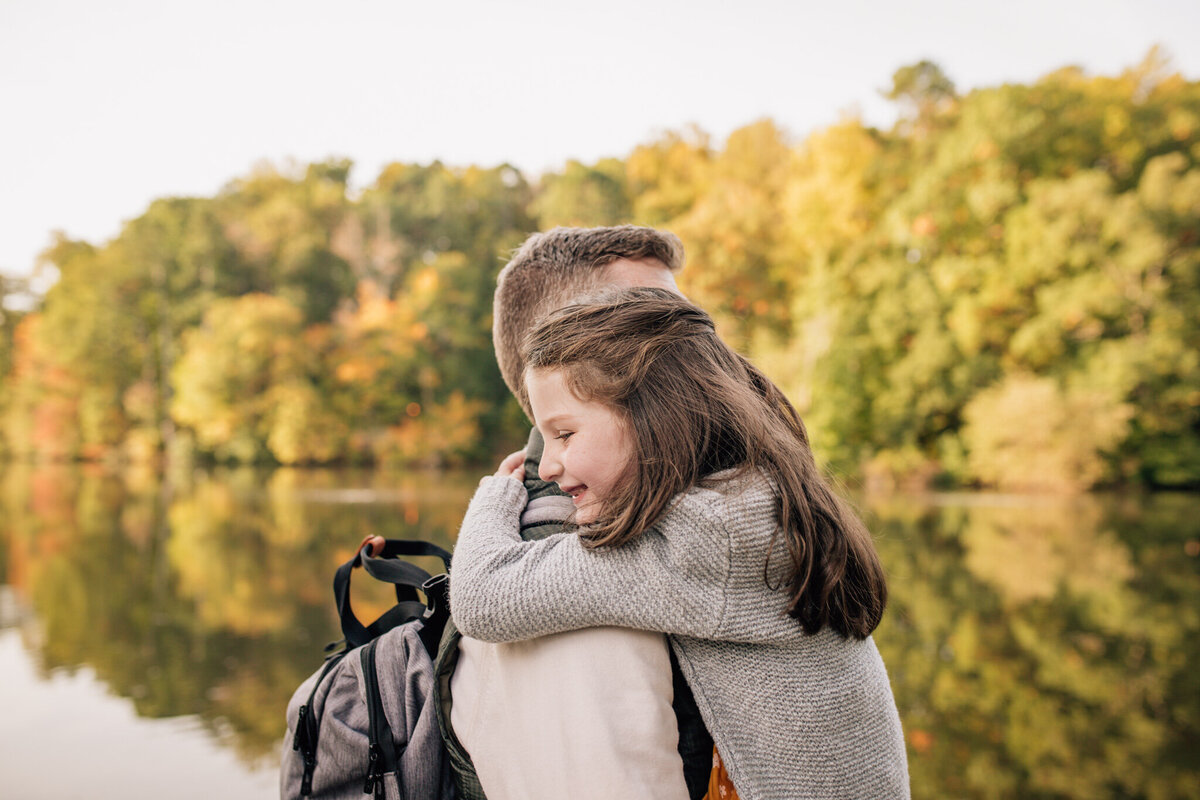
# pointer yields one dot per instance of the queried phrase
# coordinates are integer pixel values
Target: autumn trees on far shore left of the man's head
(280, 321)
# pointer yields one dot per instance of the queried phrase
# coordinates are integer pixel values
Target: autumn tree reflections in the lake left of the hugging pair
(212, 599)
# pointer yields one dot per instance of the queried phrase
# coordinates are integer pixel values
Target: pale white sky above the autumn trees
(106, 106)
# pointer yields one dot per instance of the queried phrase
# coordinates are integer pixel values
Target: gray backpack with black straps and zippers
(364, 723)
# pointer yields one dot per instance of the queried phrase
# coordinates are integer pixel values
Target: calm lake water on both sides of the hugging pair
(153, 631)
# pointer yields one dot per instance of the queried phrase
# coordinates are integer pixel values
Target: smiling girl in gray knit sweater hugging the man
(703, 516)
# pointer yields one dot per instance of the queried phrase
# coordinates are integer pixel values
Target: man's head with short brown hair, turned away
(550, 269)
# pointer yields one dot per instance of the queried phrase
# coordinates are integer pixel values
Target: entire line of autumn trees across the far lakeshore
(1003, 291)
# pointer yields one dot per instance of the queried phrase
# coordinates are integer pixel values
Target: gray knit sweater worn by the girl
(793, 715)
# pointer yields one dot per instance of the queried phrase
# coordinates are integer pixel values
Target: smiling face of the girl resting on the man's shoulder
(589, 449)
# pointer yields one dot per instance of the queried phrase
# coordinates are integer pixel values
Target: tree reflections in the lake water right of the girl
(1045, 648)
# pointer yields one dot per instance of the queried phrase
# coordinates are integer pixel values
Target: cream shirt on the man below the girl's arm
(584, 715)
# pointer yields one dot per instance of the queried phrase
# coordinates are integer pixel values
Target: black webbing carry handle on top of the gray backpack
(407, 579)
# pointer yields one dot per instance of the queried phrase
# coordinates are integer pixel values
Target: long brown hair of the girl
(695, 408)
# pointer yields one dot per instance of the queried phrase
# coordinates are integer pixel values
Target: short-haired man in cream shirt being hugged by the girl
(599, 713)
